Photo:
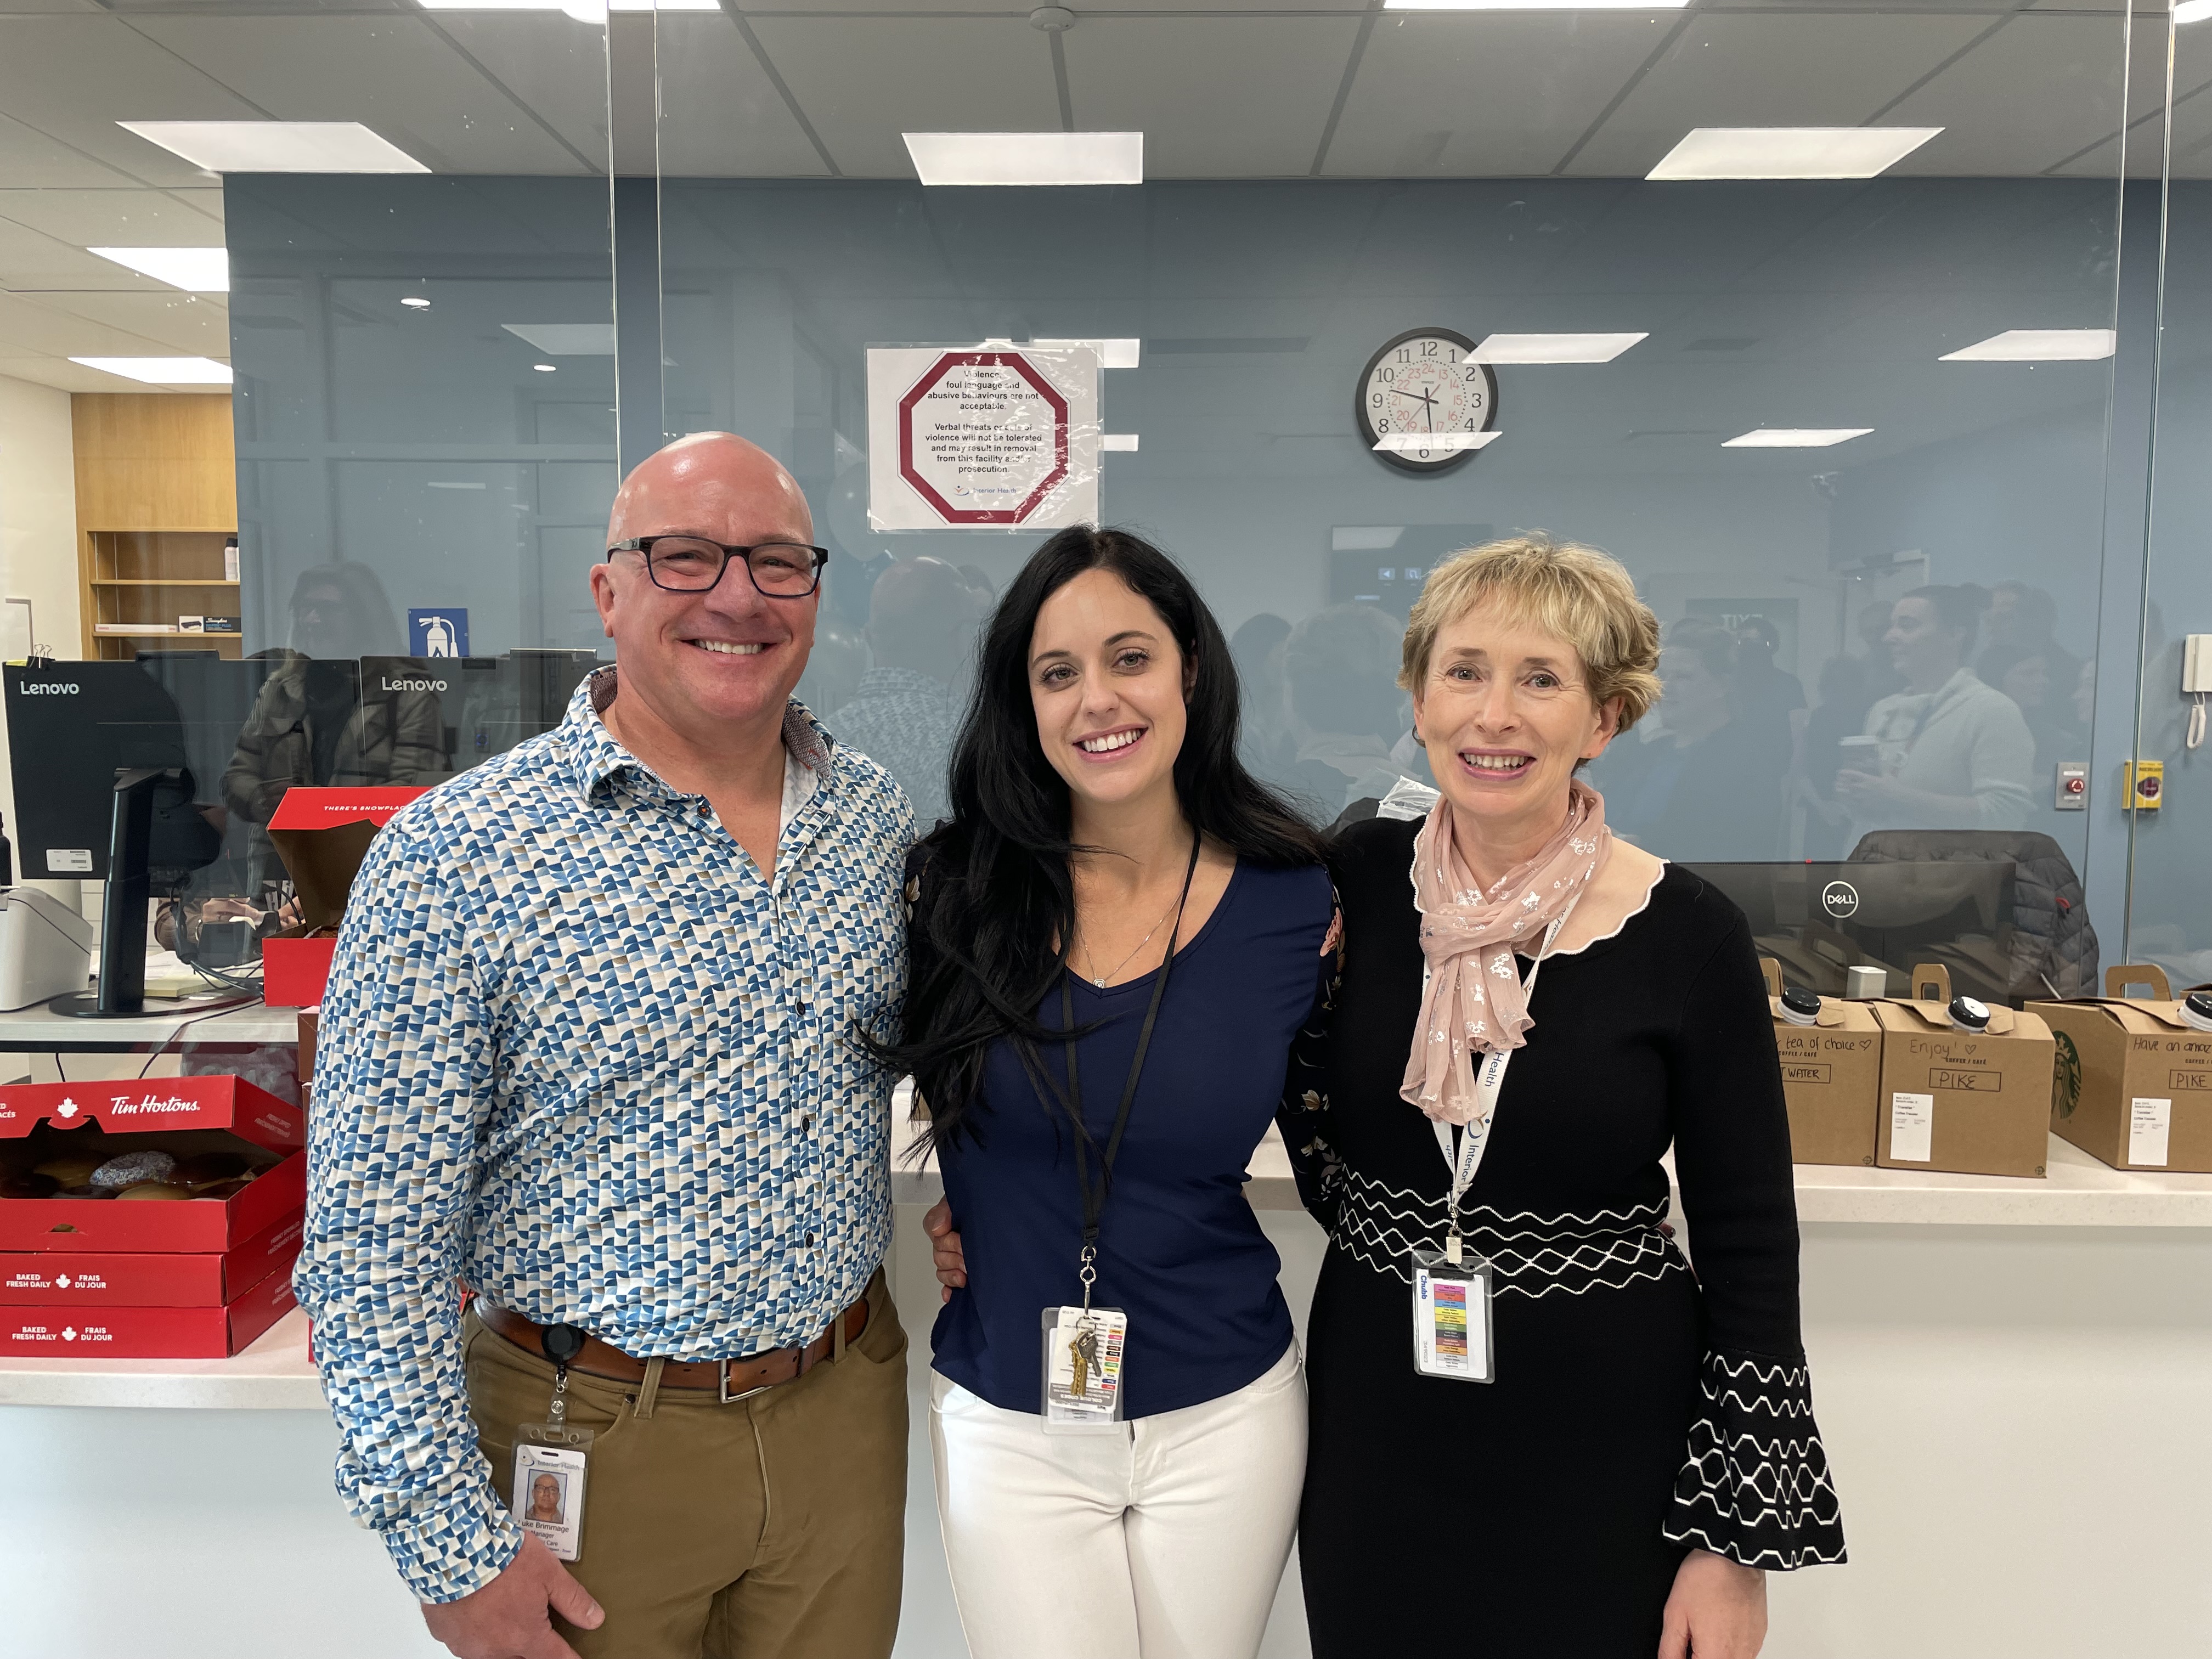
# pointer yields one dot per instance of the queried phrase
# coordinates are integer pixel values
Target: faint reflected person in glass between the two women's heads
(1346, 707)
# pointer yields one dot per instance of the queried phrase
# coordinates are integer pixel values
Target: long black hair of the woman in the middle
(997, 904)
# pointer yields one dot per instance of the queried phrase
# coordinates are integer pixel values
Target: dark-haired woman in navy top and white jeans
(1116, 941)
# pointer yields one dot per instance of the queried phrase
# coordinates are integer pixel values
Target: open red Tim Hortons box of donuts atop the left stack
(191, 1165)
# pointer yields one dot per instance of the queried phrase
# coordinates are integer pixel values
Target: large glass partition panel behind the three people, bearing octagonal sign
(1808, 317)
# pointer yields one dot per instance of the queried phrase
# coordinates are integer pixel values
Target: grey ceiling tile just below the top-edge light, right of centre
(1485, 96)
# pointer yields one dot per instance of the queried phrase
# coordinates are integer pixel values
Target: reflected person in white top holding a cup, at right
(1950, 753)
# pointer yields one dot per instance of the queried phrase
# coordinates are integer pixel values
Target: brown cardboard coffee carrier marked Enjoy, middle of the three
(1972, 1103)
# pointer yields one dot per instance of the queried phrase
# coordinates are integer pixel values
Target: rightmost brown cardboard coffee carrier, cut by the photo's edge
(2133, 1081)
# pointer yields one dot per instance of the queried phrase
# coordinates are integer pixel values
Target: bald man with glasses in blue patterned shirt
(589, 1050)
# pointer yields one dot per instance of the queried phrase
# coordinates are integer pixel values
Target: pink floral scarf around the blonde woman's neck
(1474, 992)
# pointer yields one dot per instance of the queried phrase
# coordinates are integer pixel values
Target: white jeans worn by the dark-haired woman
(1160, 1541)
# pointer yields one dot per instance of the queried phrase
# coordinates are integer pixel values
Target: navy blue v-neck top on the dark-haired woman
(1180, 1249)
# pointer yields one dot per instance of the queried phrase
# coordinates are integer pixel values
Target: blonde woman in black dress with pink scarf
(1603, 1452)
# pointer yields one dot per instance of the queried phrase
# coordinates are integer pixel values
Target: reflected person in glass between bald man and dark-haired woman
(921, 627)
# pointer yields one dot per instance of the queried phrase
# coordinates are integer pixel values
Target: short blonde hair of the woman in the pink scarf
(1569, 589)
